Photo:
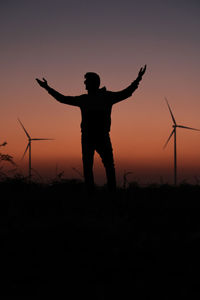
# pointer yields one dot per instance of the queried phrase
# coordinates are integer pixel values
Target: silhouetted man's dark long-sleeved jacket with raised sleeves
(95, 108)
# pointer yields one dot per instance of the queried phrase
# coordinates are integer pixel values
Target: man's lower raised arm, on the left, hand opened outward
(71, 100)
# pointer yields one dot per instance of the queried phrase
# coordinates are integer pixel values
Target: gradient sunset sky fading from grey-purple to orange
(61, 40)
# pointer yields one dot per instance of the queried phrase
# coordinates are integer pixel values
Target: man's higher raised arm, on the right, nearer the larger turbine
(127, 92)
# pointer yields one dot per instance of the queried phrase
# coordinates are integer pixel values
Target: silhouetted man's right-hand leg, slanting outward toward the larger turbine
(104, 148)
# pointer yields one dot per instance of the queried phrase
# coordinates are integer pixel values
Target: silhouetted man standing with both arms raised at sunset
(96, 108)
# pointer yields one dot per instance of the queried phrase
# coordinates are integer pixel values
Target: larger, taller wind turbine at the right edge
(174, 126)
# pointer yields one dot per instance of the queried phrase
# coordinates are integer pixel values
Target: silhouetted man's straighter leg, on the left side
(88, 157)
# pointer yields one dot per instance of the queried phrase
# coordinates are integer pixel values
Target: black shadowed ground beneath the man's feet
(141, 243)
